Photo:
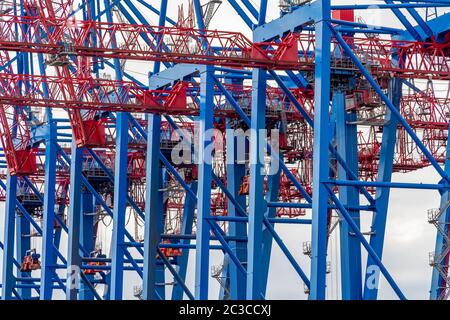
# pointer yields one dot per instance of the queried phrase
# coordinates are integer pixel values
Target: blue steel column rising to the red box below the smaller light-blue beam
(153, 207)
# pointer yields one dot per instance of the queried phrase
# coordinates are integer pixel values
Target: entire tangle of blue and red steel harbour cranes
(85, 140)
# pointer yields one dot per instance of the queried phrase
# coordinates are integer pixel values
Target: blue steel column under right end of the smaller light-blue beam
(204, 183)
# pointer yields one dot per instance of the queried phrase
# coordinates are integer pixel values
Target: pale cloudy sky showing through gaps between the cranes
(409, 237)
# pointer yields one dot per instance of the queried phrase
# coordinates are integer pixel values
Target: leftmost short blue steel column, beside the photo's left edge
(8, 249)
